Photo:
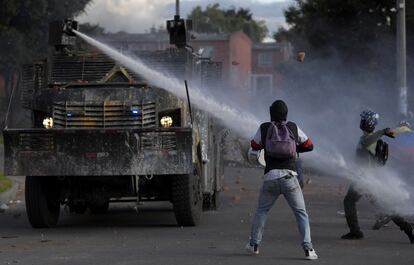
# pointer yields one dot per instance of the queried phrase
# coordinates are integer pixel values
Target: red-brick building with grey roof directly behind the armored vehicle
(233, 50)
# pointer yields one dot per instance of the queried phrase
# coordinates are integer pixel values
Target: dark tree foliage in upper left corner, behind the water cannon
(24, 28)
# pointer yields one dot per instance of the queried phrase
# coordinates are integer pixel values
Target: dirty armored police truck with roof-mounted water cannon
(101, 134)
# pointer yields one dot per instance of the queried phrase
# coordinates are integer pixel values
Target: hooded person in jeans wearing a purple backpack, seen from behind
(281, 140)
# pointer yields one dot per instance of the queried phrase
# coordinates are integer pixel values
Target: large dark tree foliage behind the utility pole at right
(360, 32)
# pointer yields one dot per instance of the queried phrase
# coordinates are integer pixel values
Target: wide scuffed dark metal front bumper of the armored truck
(98, 152)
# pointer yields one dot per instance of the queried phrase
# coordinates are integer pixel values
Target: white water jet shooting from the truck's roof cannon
(386, 187)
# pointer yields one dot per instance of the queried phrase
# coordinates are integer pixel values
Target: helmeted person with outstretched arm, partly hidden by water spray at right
(366, 155)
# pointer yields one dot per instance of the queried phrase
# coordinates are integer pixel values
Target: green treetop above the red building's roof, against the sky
(214, 19)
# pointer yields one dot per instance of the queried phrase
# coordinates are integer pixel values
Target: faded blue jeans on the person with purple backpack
(270, 191)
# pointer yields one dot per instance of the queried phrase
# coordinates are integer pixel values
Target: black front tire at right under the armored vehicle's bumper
(187, 199)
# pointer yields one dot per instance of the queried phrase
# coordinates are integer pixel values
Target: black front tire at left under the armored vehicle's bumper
(42, 201)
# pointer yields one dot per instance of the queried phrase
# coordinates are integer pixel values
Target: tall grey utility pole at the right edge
(402, 58)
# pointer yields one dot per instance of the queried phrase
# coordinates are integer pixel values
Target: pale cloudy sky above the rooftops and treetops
(139, 15)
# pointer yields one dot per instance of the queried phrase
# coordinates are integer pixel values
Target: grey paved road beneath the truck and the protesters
(151, 237)
